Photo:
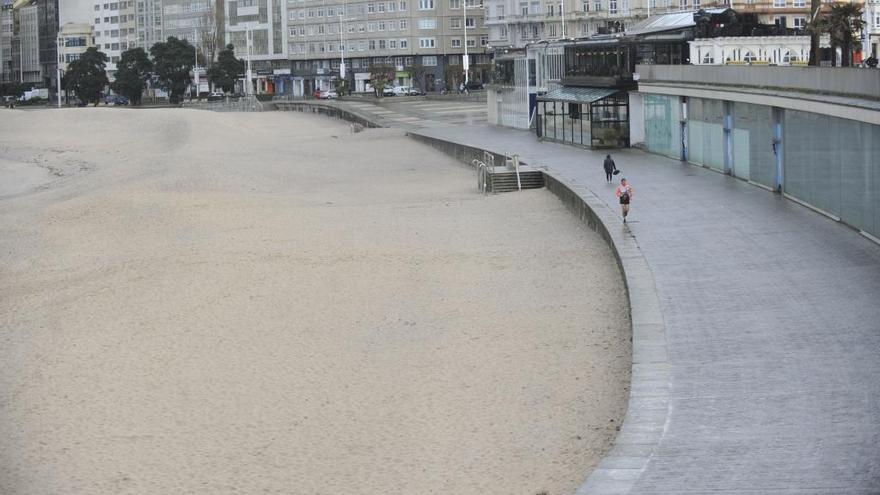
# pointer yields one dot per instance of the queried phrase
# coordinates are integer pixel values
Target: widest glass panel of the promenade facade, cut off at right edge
(834, 165)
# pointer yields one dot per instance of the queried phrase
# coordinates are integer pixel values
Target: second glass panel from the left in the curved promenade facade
(706, 132)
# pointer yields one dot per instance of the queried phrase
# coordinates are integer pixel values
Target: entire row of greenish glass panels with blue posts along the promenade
(829, 163)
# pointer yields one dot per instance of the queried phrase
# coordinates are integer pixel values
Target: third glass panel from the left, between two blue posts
(753, 157)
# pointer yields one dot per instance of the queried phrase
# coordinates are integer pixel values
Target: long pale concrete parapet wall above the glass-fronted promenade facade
(859, 83)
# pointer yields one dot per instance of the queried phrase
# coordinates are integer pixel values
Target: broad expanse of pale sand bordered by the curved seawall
(213, 303)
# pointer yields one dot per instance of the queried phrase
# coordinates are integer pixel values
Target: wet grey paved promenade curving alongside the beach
(769, 377)
